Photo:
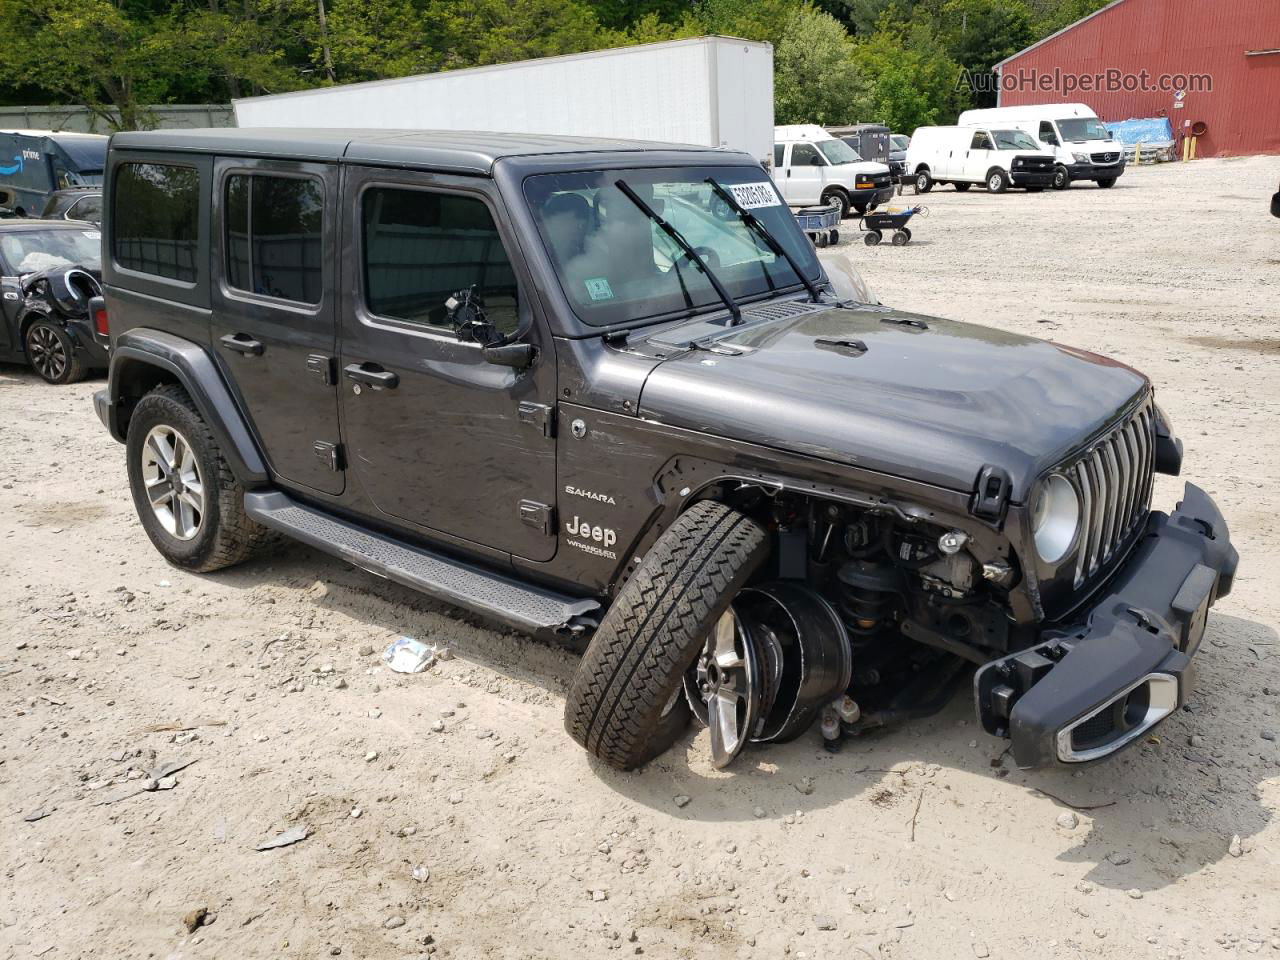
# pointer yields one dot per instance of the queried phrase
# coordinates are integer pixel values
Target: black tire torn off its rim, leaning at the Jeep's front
(621, 706)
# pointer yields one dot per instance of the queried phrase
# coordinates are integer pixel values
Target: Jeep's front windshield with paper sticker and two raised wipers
(618, 267)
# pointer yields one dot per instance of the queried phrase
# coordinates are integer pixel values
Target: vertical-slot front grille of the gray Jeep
(1114, 484)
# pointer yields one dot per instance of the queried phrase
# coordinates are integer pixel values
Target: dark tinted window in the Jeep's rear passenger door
(273, 236)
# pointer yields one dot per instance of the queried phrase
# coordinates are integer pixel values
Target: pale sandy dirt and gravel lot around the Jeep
(918, 844)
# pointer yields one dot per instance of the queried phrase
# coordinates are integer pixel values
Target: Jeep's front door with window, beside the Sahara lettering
(440, 438)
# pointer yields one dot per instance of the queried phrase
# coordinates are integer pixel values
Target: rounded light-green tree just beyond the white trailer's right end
(816, 77)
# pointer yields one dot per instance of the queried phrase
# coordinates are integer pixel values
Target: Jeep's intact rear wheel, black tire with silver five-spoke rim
(189, 500)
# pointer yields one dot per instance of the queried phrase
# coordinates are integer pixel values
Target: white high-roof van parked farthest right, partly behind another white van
(1082, 145)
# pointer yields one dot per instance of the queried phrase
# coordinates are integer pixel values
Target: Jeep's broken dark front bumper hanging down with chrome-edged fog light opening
(1089, 692)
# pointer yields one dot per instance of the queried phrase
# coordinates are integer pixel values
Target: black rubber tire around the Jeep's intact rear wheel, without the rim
(226, 536)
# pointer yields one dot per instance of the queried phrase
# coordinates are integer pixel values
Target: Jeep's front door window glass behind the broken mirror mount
(422, 249)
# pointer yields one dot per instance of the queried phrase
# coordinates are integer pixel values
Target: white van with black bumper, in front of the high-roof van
(996, 157)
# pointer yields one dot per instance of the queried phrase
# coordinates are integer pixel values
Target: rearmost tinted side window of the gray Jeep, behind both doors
(157, 220)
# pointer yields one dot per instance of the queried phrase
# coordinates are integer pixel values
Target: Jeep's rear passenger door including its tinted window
(275, 318)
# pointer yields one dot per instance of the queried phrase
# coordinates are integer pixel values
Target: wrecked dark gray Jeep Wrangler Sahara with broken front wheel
(606, 391)
